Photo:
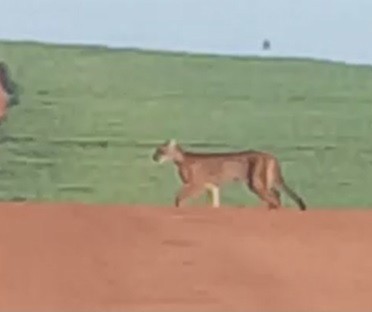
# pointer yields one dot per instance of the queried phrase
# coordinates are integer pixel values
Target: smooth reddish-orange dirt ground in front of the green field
(91, 258)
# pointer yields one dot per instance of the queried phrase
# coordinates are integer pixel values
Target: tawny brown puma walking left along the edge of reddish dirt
(201, 172)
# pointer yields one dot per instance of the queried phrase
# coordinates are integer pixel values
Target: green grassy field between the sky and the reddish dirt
(90, 117)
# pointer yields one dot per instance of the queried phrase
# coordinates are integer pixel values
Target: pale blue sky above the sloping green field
(338, 30)
